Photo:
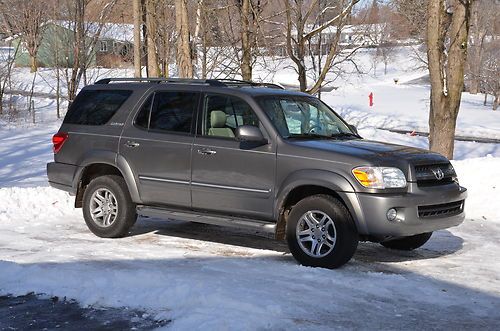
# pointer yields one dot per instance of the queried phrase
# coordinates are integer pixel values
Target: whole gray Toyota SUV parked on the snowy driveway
(247, 155)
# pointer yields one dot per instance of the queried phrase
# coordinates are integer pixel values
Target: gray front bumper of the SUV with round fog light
(370, 211)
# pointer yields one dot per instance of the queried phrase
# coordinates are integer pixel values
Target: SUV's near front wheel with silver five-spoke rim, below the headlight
(332, 221)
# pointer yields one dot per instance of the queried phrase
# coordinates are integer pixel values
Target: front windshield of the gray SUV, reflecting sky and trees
(308, 117)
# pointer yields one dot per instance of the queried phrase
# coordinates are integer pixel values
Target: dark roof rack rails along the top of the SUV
(210, 82)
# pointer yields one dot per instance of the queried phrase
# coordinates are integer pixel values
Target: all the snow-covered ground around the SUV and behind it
(207, 277)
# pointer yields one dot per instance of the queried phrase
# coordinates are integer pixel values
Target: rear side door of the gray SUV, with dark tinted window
(157, 143)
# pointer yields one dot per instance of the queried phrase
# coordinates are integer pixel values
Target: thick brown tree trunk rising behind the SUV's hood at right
(447, 34)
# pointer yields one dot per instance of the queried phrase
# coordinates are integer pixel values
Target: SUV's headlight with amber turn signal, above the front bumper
(380, 177)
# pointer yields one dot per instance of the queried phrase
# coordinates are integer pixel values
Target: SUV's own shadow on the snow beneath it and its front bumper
(442, 243)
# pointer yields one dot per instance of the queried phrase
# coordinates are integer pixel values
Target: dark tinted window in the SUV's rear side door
(173, 111)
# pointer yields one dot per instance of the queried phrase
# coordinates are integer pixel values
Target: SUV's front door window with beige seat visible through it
(223, 114)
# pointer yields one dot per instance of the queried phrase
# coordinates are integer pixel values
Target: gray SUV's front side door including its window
(229, 176)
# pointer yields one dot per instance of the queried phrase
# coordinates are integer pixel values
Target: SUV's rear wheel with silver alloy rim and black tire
(111, 190)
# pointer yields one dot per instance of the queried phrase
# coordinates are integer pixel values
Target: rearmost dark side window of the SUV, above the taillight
(95, 107)
